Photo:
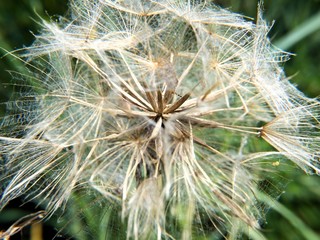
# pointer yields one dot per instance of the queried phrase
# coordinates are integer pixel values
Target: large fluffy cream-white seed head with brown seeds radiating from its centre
(158, 105)
